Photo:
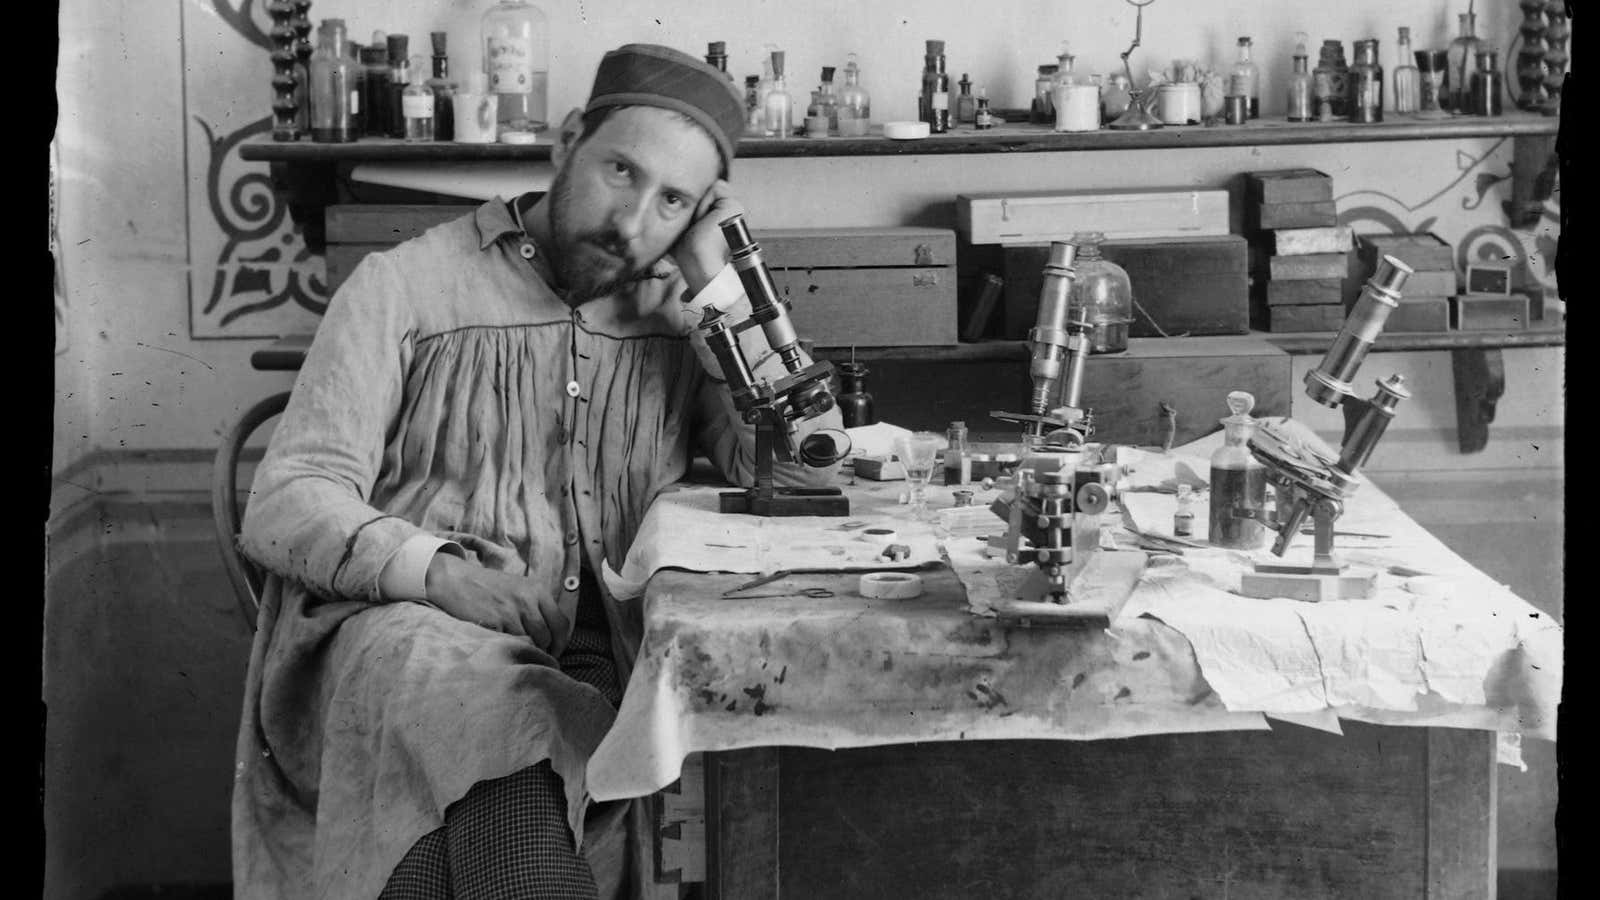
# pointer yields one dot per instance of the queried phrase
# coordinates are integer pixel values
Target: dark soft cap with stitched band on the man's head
(649, 74)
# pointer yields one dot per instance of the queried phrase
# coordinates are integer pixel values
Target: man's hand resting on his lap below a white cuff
(498, 601)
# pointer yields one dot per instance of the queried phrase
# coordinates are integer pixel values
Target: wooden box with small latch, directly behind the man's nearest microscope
(873, 287)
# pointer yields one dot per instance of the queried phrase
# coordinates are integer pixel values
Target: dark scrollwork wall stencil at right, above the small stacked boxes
(1468, 212)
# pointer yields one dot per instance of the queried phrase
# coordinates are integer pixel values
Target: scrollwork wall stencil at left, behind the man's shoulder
(250, 273)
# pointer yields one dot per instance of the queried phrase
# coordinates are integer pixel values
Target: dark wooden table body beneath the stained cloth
(1382, 811)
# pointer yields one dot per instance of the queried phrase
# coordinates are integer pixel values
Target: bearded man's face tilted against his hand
(626, 195)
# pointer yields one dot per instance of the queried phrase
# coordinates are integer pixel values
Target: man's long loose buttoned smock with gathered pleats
(450, 392)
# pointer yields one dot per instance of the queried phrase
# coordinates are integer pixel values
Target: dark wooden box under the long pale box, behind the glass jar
(1196, 286)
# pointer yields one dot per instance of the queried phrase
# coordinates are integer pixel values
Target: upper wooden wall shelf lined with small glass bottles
(1010, 139)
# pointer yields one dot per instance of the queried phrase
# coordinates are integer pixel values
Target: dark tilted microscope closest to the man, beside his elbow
(774, 408)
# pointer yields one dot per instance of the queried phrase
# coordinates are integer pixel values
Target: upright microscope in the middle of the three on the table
(1063, 484)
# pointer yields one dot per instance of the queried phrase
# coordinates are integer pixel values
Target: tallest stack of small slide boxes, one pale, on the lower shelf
(1300, 254)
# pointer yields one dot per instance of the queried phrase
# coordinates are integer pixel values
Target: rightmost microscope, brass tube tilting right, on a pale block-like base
(1308, 480)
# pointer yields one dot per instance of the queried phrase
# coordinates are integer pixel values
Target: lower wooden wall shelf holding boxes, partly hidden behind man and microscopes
(287, 353)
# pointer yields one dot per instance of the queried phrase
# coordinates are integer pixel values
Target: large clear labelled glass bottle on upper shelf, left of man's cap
(518, 58)
